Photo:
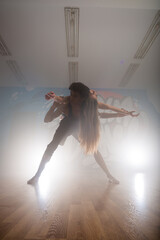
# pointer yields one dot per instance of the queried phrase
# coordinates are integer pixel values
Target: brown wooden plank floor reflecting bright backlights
(81, 206)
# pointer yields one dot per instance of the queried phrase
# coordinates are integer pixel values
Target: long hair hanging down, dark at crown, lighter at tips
(89, 131)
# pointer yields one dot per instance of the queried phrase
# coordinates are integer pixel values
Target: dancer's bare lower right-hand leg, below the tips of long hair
(99, 159)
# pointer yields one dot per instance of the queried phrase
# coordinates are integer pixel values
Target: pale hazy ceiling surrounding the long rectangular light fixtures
(110, 33)
